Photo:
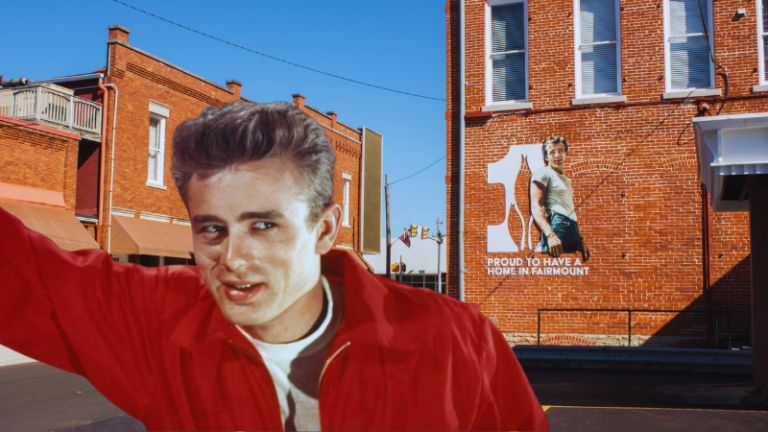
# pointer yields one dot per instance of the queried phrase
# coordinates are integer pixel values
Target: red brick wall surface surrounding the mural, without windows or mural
(634, 172)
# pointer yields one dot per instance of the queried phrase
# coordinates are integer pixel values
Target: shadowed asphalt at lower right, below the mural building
(608, 400)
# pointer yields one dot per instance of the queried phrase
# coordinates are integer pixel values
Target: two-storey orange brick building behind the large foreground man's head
(125, 188)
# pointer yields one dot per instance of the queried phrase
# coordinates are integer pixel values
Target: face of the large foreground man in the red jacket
(256, 251)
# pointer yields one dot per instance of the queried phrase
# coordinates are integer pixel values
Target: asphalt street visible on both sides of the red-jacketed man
(36, 397)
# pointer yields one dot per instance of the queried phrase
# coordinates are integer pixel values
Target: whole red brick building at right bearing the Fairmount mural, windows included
(621, 81)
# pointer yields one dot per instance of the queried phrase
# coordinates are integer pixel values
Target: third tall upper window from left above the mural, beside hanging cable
(688, 29)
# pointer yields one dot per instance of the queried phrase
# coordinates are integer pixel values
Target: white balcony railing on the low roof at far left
(49, 104)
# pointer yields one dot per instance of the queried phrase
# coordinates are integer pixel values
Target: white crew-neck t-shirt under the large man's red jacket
(295, 368)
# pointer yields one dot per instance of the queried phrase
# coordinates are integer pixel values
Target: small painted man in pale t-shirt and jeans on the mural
(552, 202)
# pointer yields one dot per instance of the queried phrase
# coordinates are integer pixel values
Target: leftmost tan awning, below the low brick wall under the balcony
(60, 226)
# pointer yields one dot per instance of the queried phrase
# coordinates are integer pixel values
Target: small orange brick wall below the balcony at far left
(30, 157)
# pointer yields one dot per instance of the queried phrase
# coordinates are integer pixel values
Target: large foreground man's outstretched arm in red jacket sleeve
(79, 311)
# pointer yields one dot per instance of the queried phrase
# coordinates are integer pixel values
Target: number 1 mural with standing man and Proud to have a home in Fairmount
(551, 209)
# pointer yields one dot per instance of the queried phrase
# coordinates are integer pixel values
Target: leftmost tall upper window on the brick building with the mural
(507, 51)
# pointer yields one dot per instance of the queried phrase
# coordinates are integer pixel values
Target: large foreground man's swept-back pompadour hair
(242, 132)
